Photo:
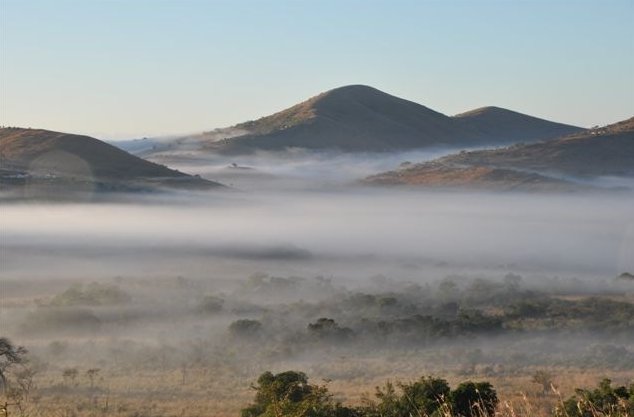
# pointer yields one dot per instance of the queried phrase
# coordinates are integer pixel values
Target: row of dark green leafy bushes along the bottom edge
(289, 394)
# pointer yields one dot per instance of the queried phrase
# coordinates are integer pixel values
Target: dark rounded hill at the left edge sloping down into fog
(43, 157)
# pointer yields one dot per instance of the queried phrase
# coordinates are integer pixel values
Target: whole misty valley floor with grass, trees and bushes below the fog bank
(181, 347)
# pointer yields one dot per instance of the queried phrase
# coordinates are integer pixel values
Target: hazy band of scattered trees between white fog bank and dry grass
(387, 315)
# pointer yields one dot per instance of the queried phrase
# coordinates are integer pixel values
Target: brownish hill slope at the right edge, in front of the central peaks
(595, 153)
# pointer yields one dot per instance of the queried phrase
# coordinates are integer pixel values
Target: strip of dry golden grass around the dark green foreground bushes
(223, 391)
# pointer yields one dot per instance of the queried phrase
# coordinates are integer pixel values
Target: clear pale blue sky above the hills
(119, 69)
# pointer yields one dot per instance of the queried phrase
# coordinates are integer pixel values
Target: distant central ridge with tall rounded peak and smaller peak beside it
(359, 118)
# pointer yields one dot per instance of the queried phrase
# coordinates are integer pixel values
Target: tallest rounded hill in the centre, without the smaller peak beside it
(352, 118)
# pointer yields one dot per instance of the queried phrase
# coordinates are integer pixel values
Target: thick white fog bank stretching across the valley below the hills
(573, 235)
